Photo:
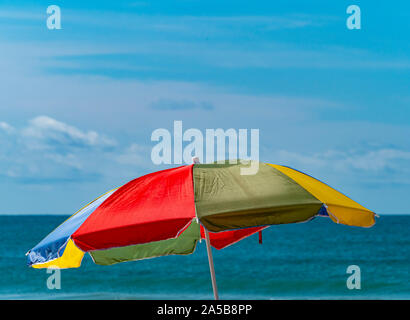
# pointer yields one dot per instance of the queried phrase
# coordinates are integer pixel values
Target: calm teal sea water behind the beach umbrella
(297, 261)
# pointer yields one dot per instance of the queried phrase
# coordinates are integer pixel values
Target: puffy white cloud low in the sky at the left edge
(51, 151)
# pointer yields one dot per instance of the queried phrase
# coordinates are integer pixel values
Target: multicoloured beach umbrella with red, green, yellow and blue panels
(169, 211)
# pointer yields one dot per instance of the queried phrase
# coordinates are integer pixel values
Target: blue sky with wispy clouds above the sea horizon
(78, 105)
